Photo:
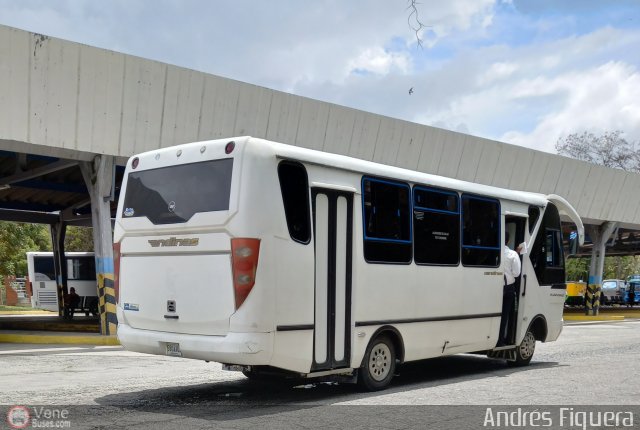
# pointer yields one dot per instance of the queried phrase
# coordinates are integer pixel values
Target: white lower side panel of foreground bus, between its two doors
(435, 297)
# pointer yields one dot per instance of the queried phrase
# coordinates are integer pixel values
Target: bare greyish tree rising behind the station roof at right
(609, 149)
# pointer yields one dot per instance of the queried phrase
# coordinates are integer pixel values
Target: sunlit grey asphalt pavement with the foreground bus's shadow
(105, 386)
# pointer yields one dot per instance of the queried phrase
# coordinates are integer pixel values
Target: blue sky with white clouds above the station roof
(526, 72)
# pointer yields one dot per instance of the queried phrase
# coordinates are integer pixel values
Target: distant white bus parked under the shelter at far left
(81, 274)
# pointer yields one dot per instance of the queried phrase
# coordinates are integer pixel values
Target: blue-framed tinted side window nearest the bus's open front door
(481, 231)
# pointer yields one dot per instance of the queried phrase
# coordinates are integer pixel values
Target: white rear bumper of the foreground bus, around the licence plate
(234, 348)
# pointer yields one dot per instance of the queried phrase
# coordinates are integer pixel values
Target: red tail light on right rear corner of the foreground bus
(244, 263)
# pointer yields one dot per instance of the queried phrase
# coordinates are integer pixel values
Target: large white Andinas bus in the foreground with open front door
(273, 258)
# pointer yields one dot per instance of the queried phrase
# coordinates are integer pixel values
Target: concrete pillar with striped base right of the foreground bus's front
(599, 236)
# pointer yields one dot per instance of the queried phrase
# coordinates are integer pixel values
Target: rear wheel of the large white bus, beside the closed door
(379, 364)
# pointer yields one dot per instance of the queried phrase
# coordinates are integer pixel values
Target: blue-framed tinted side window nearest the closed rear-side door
(387, 221)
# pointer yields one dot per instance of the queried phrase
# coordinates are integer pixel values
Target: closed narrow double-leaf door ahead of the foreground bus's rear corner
(333, 239)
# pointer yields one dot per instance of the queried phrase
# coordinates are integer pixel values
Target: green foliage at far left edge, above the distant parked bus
(16, 239)
